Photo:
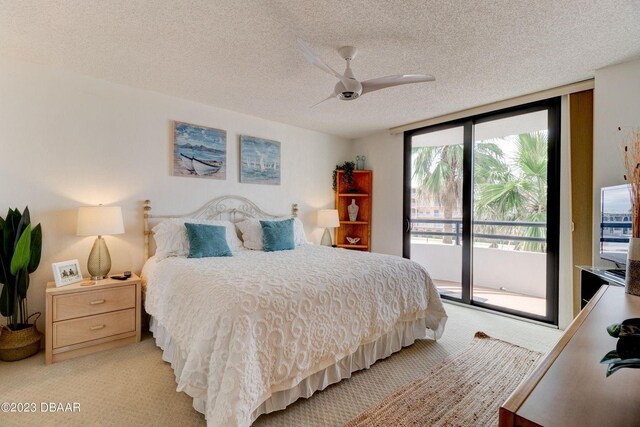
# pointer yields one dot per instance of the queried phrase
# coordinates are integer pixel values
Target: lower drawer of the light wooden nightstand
(84, 329)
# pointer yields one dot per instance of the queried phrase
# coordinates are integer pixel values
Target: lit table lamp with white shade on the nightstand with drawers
(99, 221)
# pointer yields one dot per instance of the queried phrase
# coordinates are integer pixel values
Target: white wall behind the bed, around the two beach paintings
(68, 140)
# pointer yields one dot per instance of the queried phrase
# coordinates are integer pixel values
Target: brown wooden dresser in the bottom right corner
(570, 387)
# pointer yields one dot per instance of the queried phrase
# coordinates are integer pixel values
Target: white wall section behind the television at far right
(616, 103)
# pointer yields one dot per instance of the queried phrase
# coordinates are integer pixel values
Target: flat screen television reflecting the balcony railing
(615, 225)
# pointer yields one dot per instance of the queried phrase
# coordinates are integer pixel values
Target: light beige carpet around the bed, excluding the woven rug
(132, 386)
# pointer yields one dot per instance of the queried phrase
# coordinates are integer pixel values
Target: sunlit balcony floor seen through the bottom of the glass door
(497, 297)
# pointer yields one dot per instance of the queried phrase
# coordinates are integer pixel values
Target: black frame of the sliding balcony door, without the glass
(552, 106)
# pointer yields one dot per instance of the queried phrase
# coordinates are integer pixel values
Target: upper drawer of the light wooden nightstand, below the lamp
(71, 306)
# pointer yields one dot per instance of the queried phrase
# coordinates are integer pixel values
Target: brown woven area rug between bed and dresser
(466, 390)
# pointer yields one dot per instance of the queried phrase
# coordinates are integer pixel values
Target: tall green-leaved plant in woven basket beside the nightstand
(20, 250)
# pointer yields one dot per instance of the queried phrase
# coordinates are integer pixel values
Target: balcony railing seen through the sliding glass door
(457, 229)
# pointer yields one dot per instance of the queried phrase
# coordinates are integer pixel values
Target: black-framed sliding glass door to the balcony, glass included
(481, 208)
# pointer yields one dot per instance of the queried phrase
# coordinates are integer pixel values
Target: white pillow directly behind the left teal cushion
(172, 240)
